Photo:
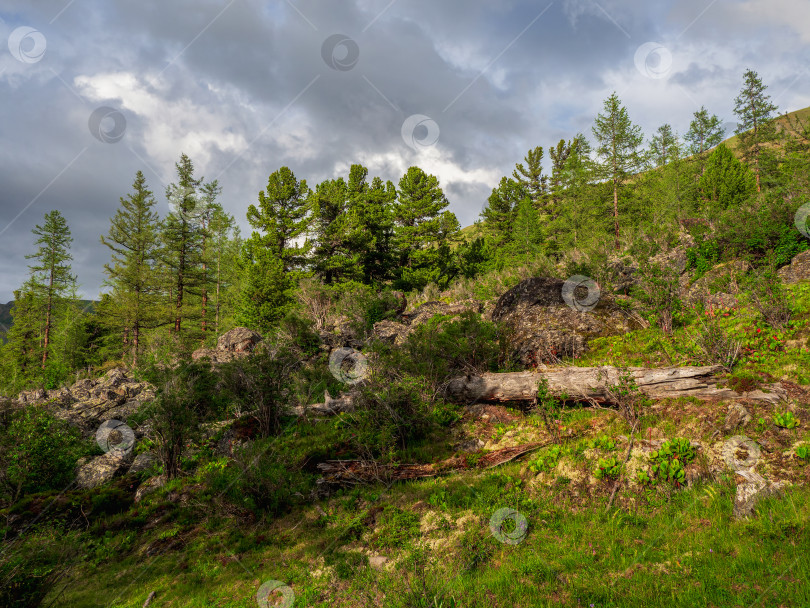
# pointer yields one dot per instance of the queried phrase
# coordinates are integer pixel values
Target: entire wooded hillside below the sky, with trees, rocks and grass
(361, 403)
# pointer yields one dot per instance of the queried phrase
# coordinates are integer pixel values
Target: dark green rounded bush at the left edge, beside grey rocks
(38, 452)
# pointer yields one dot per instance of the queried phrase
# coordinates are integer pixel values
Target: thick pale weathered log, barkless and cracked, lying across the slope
(590, 384)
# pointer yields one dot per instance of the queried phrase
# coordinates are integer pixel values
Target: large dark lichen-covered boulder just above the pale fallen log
(544, 329)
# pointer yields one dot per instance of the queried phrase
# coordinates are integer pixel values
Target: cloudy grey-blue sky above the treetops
(93, 91)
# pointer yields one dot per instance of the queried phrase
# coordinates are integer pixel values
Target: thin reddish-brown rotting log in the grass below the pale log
(343, 472)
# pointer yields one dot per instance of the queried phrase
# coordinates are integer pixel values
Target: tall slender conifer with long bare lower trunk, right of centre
(619, 140)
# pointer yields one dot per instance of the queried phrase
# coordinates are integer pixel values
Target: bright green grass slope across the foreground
(687, 552)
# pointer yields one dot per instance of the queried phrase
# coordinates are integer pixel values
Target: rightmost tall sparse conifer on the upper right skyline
(756, 127)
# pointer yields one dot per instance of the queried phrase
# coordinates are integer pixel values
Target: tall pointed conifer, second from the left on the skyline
(134, 239)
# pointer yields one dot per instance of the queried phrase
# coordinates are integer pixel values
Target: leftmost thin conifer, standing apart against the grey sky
(53, 280)
